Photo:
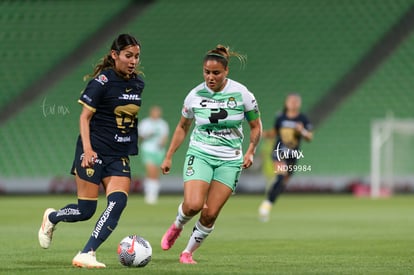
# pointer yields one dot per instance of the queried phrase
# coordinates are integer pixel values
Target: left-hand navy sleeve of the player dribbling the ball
(93, 93)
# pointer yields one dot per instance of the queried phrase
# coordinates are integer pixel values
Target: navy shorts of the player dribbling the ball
(104, 166)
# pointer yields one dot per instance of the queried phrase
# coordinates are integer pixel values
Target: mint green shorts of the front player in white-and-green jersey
(207, 169)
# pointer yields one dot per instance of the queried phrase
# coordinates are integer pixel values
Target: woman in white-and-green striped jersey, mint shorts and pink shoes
(214, 158)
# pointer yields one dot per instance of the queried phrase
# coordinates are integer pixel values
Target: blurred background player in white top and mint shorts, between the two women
(153, 132)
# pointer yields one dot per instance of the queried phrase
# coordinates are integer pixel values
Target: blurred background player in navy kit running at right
(289, 129)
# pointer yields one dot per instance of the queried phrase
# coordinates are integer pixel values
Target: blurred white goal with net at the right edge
(392, 154)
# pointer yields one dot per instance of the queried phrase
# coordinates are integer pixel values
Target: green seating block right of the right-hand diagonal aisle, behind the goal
(342, 143)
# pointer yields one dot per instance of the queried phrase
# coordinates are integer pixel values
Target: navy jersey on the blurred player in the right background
(287, 135)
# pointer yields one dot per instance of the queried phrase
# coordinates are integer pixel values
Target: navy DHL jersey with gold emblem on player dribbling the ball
(115, 103)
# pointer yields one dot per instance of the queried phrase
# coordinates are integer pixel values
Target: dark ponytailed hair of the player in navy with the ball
(121, 42)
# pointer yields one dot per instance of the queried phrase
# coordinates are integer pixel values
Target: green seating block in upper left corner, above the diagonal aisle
(36, 35)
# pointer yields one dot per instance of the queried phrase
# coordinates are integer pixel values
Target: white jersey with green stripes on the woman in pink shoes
(218, 116)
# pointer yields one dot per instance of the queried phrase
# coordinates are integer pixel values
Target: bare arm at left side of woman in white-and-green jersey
(179, 135)
